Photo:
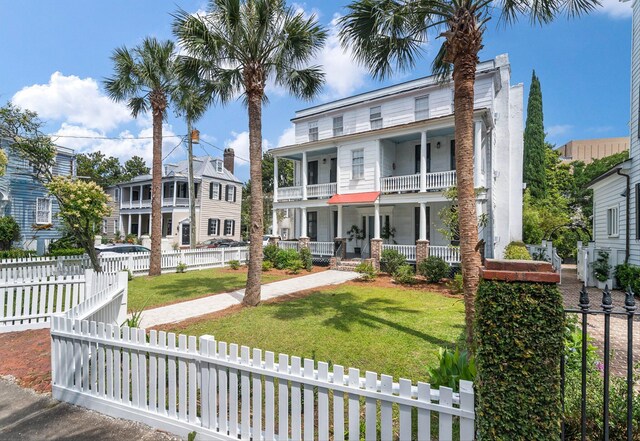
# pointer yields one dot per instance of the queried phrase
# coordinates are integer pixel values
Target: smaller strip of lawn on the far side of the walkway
(150, 292)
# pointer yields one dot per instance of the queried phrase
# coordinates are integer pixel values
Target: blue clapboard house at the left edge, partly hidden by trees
(24, 198)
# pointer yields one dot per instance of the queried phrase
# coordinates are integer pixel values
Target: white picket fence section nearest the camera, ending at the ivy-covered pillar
(224, 392)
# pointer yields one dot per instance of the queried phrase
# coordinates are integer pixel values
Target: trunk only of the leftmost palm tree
(156, 194)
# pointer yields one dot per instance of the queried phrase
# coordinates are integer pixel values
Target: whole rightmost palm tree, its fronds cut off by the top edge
(391, 33)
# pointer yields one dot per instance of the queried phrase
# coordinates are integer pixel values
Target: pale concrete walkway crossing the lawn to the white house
(217, 302)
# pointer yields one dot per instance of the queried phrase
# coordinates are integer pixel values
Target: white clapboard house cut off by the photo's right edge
(616, 216)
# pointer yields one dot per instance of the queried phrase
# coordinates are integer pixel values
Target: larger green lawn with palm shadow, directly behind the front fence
(391, 331)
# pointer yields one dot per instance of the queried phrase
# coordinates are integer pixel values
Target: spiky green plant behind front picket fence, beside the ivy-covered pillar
(452, 367)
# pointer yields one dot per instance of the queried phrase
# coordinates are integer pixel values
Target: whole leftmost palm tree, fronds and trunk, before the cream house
(145, 78)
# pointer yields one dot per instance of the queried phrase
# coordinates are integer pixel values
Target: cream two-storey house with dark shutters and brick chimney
(218, 201)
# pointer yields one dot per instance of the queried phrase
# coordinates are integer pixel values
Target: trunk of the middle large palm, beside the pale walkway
(256, 227)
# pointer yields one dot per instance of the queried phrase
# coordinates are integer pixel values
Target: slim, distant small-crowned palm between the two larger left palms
(191, 100)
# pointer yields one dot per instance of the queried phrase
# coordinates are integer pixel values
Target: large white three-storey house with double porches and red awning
(385, 157)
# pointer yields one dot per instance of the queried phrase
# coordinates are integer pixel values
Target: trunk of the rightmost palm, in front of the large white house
(464, 74)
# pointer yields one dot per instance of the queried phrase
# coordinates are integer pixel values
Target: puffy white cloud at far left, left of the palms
(73, 100)
